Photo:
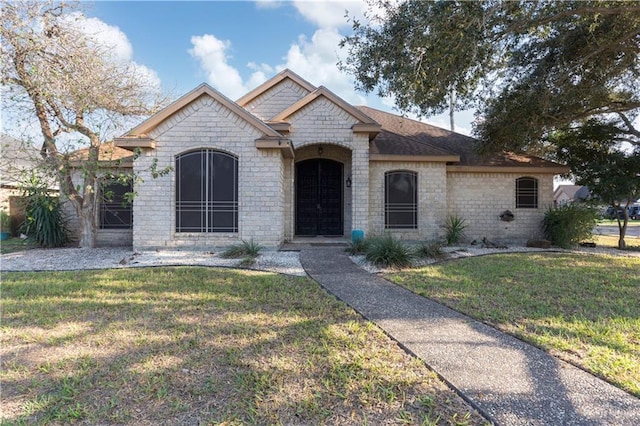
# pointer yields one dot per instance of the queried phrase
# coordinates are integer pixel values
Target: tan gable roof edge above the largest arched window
(204, 89)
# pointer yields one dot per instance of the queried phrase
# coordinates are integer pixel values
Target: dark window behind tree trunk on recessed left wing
(116, 212)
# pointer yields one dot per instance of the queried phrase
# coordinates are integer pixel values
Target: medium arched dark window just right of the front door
(401, 200)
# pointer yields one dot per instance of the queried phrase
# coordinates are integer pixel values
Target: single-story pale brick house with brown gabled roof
(291, 160)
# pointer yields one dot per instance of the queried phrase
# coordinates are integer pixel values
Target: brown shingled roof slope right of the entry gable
(404, 137)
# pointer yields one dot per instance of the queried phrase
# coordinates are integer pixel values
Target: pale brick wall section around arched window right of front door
(432, 199)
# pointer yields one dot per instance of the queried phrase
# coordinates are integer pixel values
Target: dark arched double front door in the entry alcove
(318, 197)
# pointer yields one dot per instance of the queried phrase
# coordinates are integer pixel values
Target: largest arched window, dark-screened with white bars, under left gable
(206, 192)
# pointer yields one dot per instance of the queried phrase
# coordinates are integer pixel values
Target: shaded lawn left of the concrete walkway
(203, 346)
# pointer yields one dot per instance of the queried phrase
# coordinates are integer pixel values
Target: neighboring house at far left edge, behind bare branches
(18, 160)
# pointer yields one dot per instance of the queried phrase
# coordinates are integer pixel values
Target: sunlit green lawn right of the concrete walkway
(583, 308)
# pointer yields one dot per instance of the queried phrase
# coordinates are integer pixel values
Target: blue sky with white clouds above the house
(236, 45)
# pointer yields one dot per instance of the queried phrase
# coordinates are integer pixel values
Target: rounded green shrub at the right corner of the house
(566, 226)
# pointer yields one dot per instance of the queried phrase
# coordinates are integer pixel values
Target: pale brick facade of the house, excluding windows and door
(318, 125)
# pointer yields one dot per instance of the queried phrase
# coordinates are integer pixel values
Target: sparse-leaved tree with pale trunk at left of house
(55, 72)
